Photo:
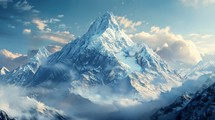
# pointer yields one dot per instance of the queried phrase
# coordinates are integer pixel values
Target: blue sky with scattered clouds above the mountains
(30, 24)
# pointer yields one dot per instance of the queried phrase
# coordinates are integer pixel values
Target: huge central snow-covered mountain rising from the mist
(105, 57)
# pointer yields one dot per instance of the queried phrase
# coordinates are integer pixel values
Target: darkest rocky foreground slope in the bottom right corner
(201, 107)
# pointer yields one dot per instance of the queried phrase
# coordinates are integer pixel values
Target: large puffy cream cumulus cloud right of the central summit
(171, 47)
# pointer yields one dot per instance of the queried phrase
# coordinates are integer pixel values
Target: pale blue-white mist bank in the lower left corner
(15, 102)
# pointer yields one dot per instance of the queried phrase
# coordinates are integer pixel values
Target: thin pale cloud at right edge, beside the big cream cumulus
(204, 42)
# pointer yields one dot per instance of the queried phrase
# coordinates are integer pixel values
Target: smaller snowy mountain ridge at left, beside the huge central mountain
(22, 74)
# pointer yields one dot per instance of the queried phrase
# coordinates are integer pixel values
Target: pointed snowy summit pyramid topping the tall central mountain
(106, 36)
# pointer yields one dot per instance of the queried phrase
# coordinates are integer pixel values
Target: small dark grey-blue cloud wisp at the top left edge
(23, 5)
